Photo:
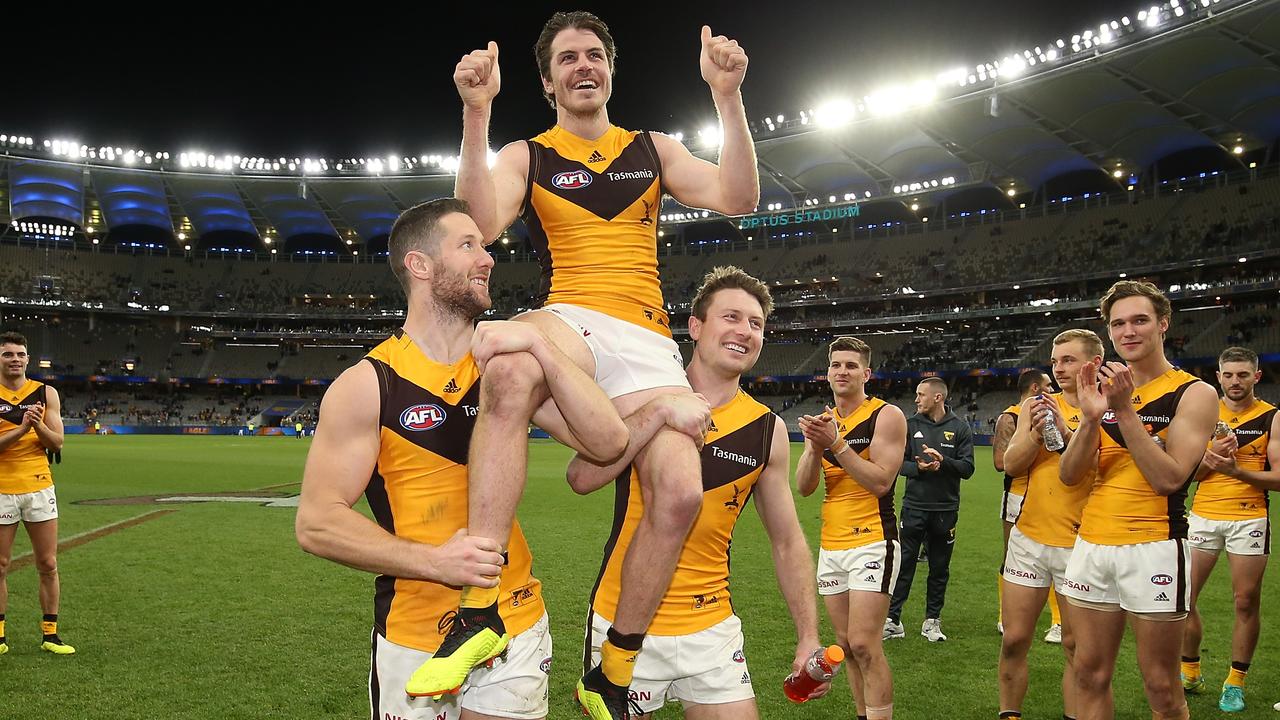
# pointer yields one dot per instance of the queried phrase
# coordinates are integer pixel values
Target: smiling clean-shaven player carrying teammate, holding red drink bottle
(694, 650)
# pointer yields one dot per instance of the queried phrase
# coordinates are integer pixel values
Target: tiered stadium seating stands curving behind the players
(292, 318)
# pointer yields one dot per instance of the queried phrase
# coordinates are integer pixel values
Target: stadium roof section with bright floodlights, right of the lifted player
(1213, 84)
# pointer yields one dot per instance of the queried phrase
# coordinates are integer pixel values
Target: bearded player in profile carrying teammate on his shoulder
(396, 429)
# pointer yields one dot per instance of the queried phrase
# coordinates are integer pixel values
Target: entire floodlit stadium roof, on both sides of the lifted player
(1212, 81)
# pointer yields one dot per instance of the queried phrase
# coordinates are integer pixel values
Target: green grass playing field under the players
(213, 612)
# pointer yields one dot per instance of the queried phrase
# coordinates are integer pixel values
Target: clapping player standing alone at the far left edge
(31, 423)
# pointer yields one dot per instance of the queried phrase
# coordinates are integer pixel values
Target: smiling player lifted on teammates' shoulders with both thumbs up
(589, 194)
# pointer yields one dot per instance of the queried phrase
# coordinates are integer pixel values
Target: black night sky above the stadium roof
(303, 84)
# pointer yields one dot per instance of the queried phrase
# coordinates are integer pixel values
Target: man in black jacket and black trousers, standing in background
(939, 455)
